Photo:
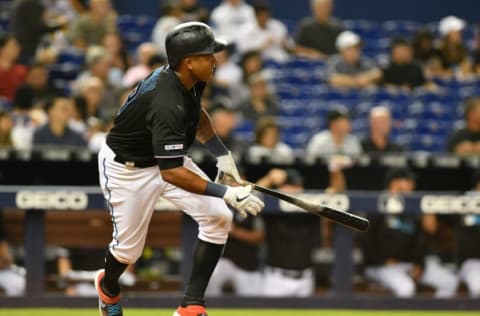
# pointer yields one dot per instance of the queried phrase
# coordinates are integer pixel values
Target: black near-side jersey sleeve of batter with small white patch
(168, 121)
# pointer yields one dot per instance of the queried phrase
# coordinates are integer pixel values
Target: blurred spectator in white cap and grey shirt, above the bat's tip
(350, 69)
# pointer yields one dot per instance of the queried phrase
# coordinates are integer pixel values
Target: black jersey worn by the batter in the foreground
(159, 119)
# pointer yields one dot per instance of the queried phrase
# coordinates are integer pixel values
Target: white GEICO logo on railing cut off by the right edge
(450, 204)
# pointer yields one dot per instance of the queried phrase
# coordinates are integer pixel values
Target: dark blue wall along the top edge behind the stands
(377, 10)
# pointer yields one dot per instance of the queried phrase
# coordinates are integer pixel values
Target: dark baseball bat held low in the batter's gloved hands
(339, 216)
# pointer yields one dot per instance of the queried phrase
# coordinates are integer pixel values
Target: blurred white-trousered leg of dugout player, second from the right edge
(441, 279)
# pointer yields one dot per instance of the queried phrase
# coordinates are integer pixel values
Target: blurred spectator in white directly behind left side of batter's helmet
(171, 16)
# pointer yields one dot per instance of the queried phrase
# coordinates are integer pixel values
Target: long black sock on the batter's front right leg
(205, 260)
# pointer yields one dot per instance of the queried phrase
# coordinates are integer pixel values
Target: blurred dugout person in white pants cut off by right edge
(467, 246)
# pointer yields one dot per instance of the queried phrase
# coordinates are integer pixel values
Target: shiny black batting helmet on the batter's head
(191, 38)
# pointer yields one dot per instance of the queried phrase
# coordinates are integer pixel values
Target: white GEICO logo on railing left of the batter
(52, 200)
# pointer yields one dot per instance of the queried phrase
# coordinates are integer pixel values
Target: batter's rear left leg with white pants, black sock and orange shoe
(130, 194)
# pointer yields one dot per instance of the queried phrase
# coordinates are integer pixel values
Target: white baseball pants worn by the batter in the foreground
(131, 195)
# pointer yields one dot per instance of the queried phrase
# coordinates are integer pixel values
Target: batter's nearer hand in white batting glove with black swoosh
(242, 199)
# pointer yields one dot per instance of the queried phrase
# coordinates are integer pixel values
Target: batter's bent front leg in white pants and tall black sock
(214, 220)
